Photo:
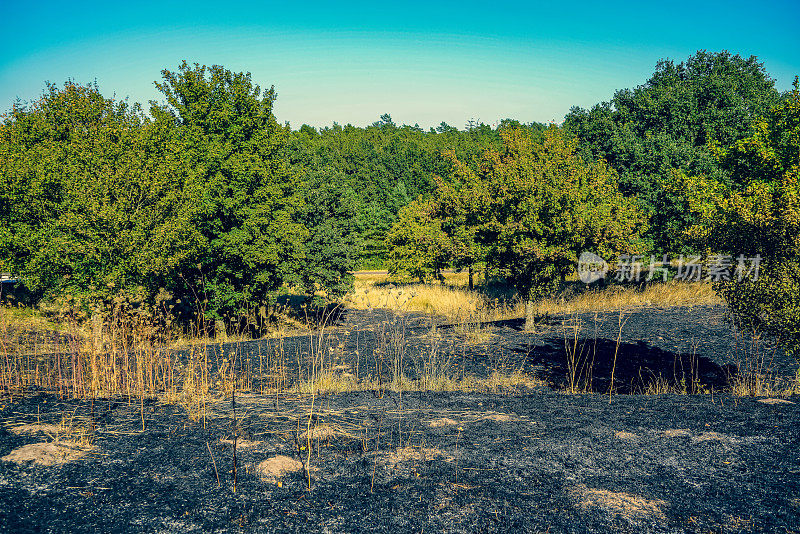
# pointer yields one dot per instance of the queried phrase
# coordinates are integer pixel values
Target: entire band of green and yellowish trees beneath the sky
(207, 204)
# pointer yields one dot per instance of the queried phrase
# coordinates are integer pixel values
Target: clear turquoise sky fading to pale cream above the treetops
(423, 62)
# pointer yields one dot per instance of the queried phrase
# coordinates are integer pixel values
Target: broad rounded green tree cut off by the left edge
(81, 195)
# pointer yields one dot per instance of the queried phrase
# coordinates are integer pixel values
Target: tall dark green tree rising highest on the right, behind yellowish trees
(669, 123)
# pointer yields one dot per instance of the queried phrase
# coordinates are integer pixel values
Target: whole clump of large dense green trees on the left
(192, 207)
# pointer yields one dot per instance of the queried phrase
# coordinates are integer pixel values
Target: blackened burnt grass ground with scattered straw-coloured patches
(521, 459)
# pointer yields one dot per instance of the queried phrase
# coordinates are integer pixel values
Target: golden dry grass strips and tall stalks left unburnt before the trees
(132, 360)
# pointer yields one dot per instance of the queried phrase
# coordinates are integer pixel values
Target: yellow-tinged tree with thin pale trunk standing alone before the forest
(538, 205)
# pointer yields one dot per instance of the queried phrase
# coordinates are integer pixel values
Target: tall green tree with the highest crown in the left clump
(235, 186)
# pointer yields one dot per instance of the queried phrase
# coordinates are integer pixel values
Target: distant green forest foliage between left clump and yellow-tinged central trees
(387, 166)
